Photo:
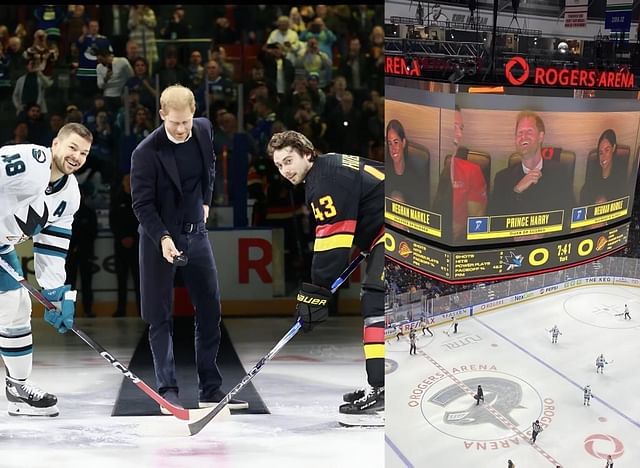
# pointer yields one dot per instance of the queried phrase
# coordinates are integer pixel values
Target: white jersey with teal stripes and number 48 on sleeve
(31, 207)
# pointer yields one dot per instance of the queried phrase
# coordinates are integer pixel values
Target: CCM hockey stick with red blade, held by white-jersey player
(180, 413)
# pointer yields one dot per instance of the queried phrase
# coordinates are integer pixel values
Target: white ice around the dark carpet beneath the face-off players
(302, 387)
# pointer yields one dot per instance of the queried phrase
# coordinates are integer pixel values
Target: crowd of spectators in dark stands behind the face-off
(254, 69)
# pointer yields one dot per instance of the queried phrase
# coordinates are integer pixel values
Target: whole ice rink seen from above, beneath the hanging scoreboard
(432, 417)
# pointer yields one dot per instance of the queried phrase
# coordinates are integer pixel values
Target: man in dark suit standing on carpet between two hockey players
(172, 174)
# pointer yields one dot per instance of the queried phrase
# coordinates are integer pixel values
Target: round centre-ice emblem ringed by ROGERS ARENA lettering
(449, 408)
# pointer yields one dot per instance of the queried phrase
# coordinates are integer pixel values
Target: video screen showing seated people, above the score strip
(464, 169)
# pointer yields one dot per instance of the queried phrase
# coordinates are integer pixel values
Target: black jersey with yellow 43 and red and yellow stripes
(346, 196)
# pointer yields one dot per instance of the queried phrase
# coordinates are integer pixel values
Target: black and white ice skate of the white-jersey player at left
(26, 399)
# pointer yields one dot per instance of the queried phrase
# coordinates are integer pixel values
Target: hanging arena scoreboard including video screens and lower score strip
(463, 232)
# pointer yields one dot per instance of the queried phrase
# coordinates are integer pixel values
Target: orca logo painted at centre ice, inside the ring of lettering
(501, 394)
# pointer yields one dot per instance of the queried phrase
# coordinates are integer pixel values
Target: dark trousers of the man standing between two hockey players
(156, 288)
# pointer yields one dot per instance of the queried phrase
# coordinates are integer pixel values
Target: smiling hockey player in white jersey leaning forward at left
(38, 198)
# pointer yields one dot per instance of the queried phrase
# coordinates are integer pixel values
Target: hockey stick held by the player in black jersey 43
(197, 426)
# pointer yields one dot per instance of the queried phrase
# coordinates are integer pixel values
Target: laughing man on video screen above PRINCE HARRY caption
(536, 184)
